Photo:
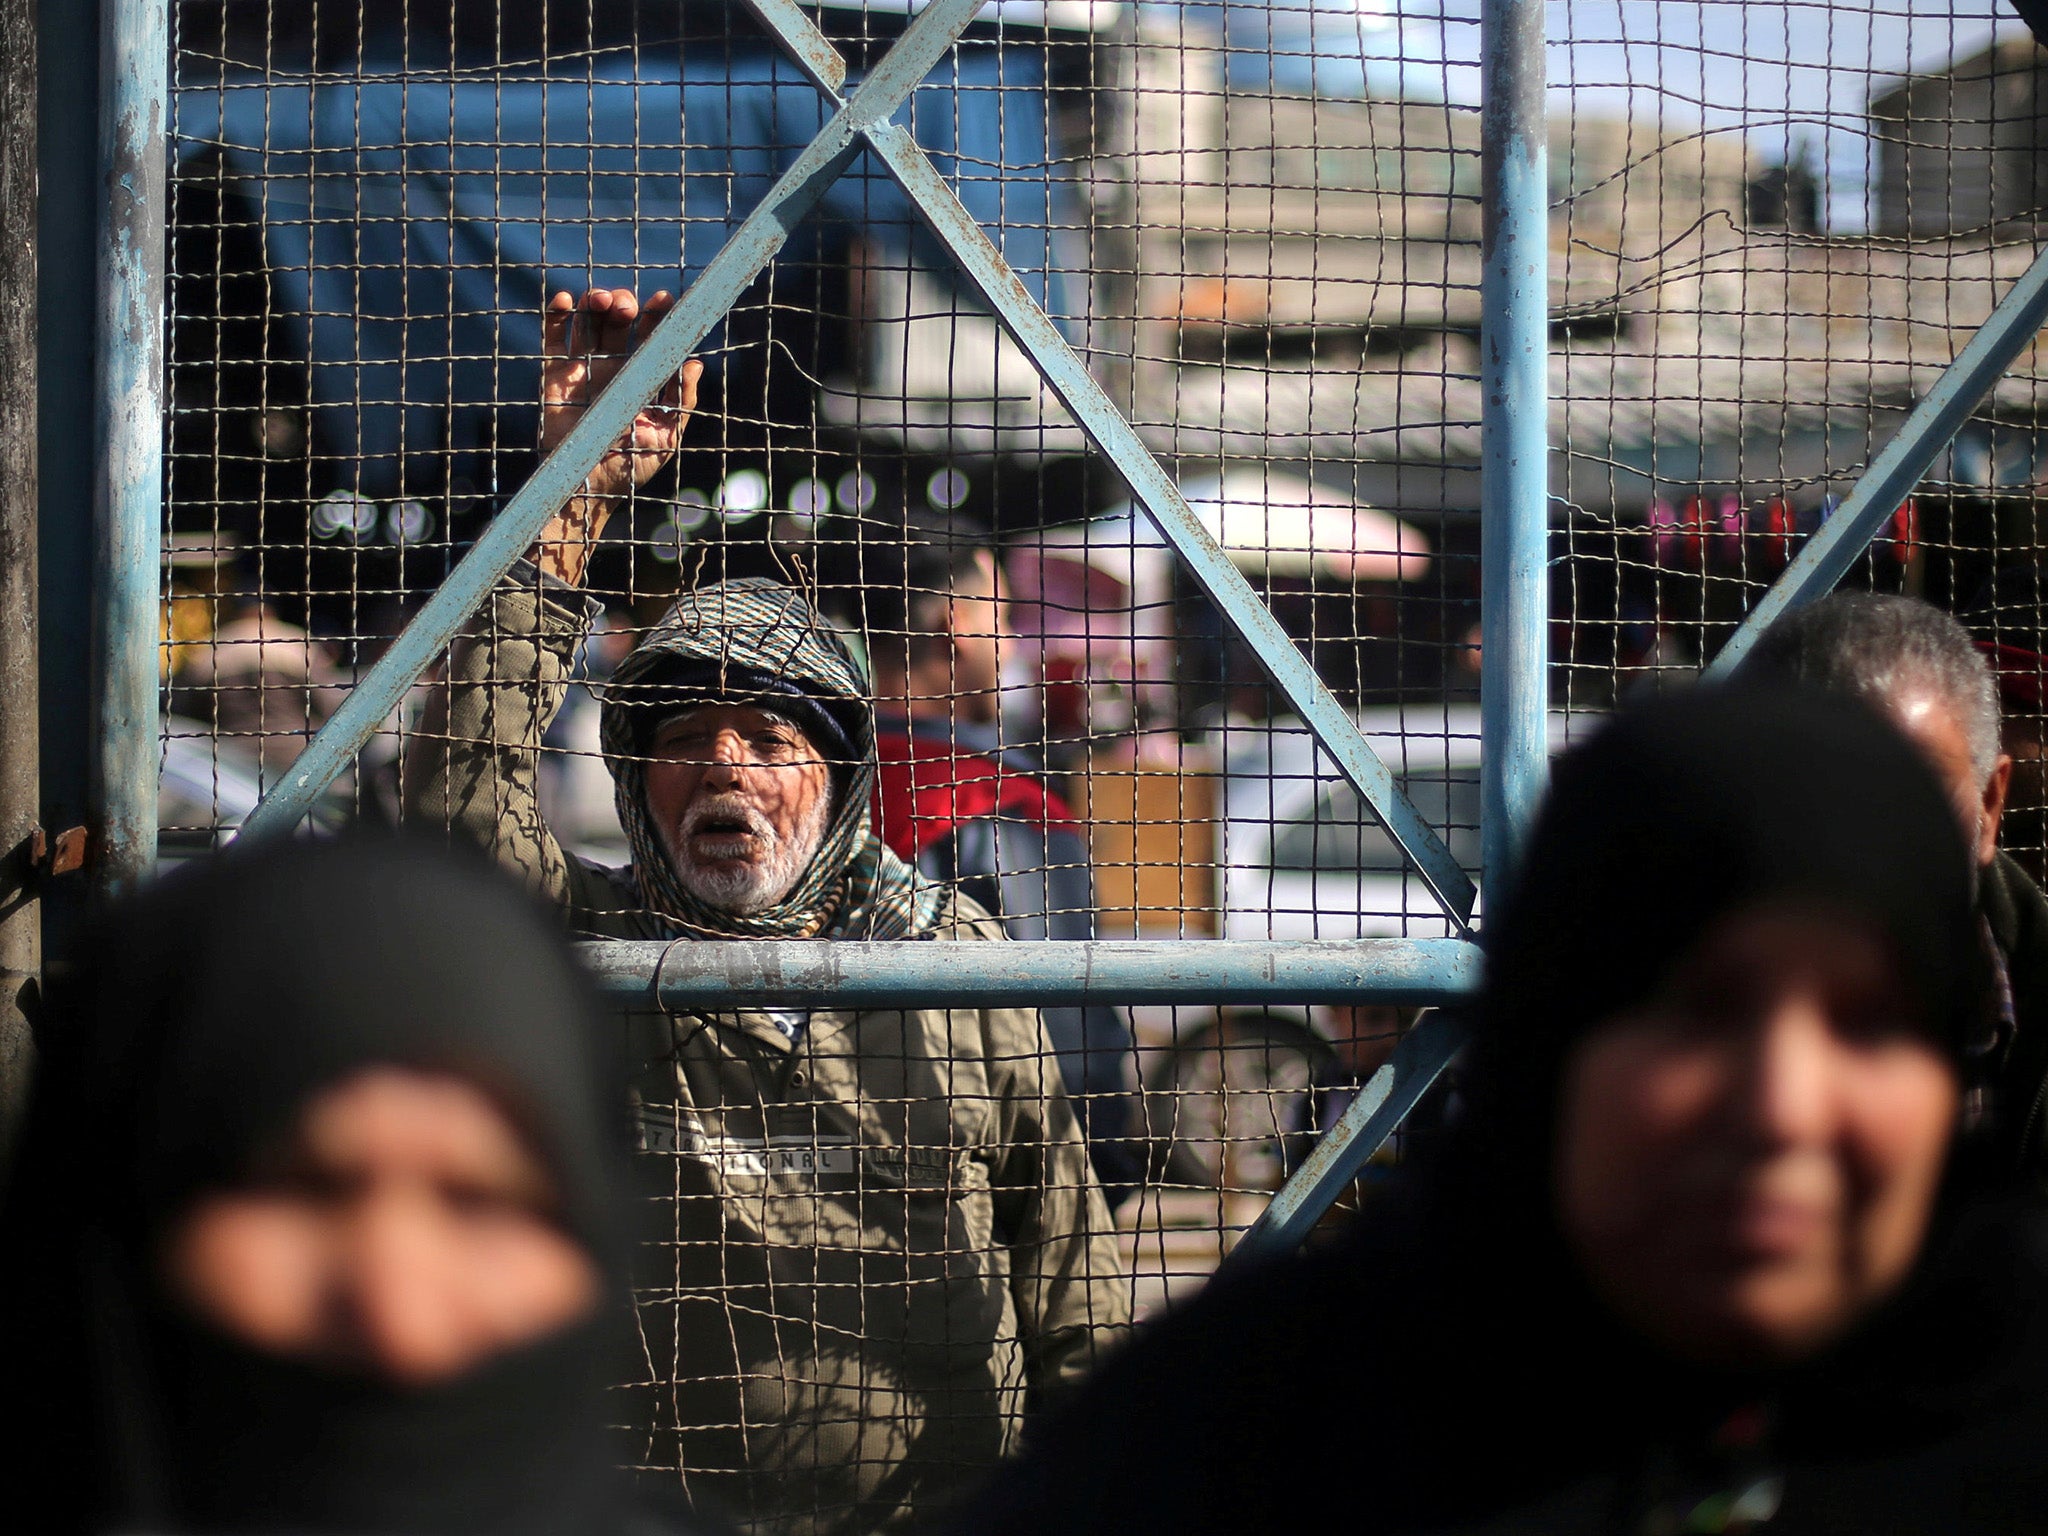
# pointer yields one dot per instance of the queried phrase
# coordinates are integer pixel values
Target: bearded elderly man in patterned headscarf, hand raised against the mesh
(888, 1244)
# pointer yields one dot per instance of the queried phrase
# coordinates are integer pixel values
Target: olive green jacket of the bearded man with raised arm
(878, 1246)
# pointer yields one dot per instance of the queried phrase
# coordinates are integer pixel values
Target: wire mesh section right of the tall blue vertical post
(1773, 228)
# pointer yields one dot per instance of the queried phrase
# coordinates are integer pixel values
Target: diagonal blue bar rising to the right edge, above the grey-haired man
(1902, 464)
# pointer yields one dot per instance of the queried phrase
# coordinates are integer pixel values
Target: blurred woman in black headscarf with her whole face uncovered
(1699, 1256)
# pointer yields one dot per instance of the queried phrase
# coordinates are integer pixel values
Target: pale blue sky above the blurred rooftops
(1795, 77)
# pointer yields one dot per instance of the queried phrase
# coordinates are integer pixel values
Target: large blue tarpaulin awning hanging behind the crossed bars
(415, 224)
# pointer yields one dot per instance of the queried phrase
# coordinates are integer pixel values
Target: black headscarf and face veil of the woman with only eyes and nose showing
(218, 1007)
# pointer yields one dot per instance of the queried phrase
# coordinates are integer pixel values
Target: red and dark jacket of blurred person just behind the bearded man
(982, 820)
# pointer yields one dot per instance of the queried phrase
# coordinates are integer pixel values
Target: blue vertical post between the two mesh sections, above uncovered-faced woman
(1514, 429)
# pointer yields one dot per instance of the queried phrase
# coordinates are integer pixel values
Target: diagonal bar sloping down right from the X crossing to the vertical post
(982, 265)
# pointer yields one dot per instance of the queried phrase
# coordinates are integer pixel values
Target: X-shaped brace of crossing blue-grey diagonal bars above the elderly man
(863, 122)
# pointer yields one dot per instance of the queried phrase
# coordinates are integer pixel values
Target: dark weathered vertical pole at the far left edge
(22, 914)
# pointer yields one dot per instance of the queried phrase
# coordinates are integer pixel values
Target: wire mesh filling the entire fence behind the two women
(1261, 230)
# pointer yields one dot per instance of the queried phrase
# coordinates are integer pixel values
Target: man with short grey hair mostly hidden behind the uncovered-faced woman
(1922, 669)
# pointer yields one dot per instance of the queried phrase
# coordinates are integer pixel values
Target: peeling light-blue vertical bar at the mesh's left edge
(128, 493)
